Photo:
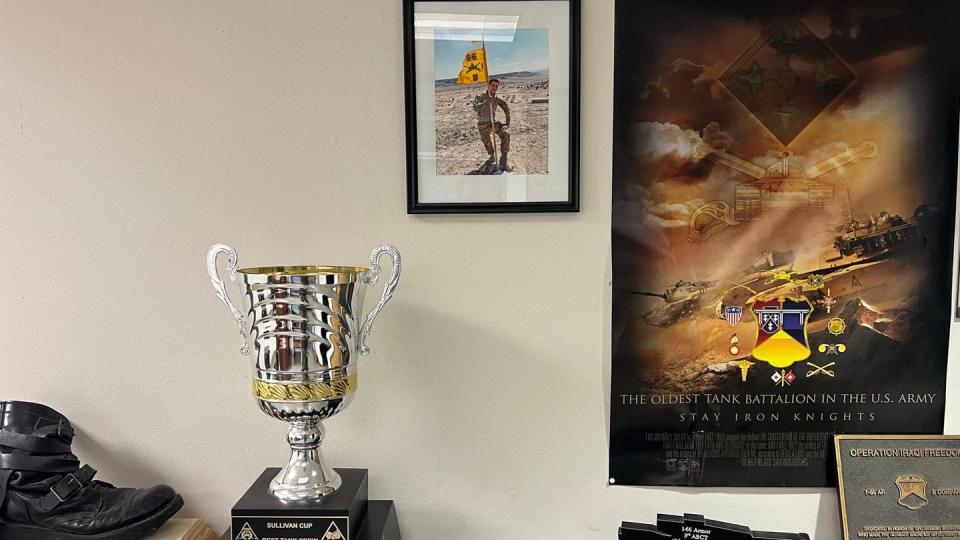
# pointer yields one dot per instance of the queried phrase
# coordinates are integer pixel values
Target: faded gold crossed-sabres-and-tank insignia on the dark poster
(784, 183)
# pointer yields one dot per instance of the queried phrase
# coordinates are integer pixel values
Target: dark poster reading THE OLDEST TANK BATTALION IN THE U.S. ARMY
(783, 208)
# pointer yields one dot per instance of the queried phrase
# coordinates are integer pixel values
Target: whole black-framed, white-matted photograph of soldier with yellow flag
(492, 102)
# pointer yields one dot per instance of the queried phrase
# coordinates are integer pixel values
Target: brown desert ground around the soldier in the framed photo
(459, 149)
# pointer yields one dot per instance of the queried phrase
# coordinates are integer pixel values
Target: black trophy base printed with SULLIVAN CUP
(340, 516)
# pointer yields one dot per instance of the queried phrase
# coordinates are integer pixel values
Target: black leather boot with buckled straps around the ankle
(46, 494)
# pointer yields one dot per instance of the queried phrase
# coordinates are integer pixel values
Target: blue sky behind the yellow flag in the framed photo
(529, 51)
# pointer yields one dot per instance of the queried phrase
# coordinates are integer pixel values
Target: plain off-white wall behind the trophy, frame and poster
(133, 134)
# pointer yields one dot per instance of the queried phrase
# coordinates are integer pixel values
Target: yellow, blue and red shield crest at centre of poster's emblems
(782, 330)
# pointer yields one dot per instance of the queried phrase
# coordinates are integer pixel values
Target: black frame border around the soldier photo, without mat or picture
(414, 206)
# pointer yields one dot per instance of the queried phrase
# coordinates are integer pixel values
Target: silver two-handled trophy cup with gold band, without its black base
(305, 325)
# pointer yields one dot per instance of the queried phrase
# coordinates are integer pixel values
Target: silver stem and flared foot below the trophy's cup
(306, 476)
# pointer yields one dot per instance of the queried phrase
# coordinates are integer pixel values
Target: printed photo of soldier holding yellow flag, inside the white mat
(492, 104)
